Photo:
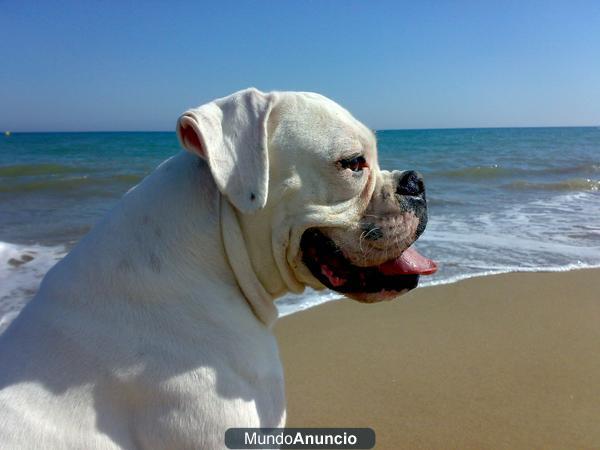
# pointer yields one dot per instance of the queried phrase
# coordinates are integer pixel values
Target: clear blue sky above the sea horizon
(123, 66)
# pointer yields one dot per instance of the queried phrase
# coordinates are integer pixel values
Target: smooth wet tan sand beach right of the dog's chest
(509, 361)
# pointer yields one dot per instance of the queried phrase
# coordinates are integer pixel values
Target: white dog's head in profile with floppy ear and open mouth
(314, 207)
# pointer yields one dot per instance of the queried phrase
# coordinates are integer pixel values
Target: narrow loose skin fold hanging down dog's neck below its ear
(255, 293)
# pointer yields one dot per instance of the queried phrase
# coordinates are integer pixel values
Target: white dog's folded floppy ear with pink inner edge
(231, 135)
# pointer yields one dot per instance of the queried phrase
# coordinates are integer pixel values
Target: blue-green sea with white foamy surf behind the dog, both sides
(500, 199)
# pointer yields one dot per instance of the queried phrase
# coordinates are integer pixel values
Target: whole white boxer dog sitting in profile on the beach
(155, 331)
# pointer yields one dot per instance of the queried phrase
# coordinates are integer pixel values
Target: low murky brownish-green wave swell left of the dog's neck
(69, 184)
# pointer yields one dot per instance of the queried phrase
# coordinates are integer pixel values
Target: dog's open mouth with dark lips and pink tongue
(327, 263)
